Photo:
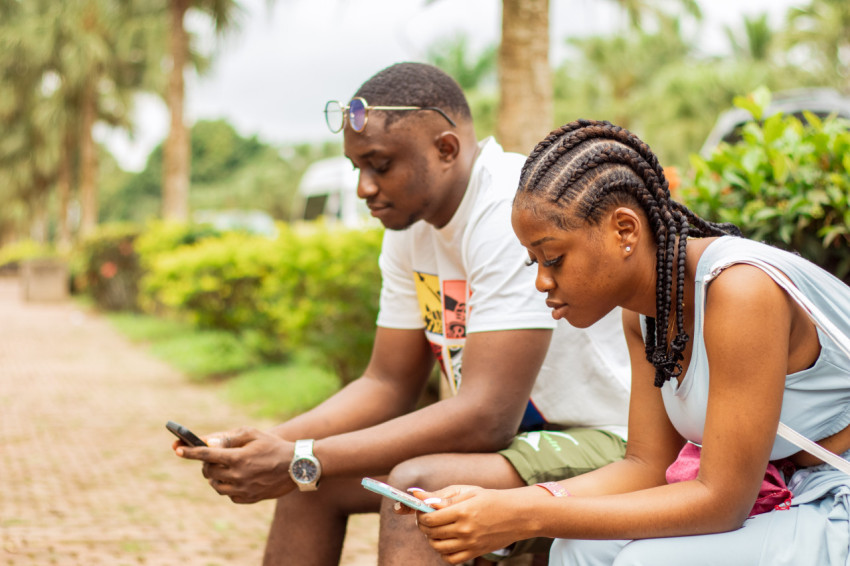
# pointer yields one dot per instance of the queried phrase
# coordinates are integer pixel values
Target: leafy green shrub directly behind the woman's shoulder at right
(786, 183)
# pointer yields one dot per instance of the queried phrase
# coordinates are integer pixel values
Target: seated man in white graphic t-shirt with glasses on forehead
(455, 289)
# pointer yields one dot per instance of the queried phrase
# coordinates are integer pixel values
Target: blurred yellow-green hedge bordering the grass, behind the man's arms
(315, 288)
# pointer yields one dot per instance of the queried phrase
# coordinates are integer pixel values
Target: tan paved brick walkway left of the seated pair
(87, 476)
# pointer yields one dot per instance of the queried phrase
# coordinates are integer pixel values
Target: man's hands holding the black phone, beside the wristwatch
(247, 465)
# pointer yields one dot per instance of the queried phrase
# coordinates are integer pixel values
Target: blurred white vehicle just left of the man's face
(328, 190)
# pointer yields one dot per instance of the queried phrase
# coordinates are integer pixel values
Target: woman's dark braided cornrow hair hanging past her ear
(586, 167)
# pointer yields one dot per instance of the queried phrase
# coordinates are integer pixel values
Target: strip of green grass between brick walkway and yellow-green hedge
(266, 391)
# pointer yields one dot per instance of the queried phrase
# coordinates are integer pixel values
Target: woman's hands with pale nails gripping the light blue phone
(469, 521)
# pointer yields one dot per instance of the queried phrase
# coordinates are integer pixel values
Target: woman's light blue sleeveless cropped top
(816, 402)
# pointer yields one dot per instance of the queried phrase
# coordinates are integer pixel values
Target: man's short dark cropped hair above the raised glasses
(414, 84)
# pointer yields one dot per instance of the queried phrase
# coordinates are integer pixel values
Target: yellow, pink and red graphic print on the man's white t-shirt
(444, 315)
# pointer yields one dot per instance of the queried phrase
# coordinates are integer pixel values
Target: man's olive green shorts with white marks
(551, 455)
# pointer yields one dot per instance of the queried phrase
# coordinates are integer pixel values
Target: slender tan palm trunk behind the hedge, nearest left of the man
(176, 155)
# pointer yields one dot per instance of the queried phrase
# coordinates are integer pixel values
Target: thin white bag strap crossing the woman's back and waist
(826, 325)
